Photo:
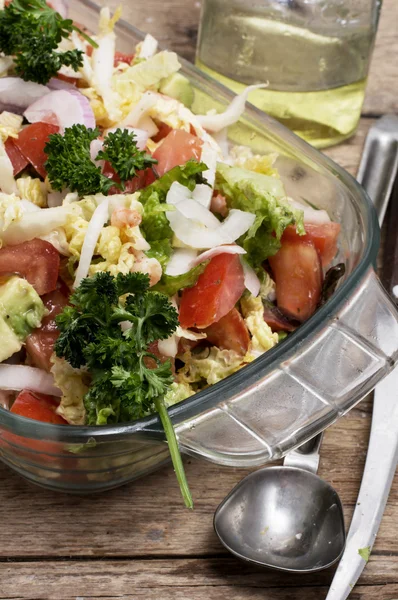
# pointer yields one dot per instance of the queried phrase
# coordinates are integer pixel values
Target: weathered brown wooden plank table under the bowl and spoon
(138, 541)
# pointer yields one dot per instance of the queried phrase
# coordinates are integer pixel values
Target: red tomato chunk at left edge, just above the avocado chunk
(37, 261)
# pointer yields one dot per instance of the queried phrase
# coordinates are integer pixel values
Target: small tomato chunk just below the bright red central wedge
(229, 333)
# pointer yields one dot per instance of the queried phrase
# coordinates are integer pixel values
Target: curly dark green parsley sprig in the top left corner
(31, 31)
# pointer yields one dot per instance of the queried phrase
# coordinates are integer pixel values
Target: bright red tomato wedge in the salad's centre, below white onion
(215, 293)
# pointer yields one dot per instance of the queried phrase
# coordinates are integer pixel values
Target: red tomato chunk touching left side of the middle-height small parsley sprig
(31, 142)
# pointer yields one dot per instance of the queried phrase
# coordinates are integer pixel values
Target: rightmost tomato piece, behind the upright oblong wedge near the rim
(324, 237)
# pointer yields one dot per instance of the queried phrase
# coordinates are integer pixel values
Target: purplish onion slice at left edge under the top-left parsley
(16, 94)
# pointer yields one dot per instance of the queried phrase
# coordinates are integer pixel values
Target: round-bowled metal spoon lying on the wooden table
(286, 517)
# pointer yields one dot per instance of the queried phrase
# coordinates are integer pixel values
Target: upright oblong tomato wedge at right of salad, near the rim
(297, 271)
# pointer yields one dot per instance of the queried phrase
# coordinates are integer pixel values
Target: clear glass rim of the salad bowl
(150, 427)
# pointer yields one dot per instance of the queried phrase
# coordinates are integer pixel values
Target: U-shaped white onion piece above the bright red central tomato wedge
(196, 235)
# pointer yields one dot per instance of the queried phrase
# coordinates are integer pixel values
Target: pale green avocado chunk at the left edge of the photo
(21, 311)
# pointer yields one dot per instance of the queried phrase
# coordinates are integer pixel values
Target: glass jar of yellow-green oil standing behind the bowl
(316, 77)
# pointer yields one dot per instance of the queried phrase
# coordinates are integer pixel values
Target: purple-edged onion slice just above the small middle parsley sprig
(66, 107)
